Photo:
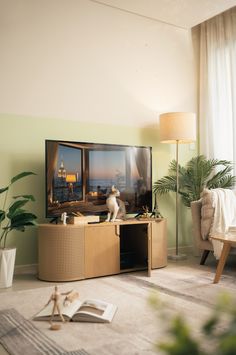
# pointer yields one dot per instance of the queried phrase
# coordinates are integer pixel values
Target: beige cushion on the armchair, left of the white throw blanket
(207, 213)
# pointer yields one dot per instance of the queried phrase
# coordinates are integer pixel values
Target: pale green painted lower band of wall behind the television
(22, 149)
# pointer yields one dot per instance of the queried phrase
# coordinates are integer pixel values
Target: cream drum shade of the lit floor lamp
(178, 126)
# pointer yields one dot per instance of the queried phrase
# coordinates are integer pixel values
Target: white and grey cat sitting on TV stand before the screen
(113, 206)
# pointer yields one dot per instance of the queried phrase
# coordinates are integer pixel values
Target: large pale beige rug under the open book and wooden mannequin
(136, 327)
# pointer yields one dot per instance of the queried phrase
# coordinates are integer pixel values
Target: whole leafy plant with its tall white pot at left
(12, 217)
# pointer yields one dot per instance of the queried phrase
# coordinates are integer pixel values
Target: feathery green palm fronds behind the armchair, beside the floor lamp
(198, 174)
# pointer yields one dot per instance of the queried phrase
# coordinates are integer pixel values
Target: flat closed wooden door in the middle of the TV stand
(102, 251)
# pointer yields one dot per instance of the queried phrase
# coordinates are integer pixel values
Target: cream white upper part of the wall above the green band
(80, 60)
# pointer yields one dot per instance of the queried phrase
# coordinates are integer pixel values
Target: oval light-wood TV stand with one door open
(74, 252)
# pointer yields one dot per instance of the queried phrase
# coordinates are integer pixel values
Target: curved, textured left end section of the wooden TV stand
(60, 252)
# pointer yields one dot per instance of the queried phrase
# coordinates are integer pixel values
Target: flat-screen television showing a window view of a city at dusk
(80, 175)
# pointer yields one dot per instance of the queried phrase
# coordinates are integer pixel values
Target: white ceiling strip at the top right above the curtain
(181, 13)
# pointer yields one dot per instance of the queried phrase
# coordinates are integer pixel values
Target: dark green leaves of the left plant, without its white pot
(12, 215)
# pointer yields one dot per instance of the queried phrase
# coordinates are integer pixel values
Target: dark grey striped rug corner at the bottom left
(20, 336)
